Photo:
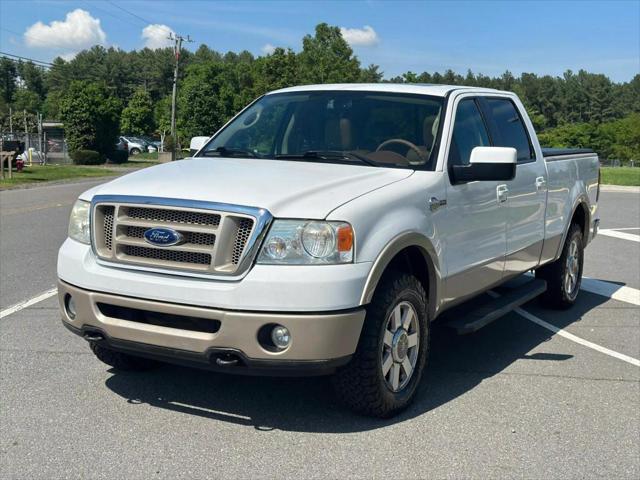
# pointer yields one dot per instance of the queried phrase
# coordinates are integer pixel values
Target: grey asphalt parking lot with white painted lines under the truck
(516, 399)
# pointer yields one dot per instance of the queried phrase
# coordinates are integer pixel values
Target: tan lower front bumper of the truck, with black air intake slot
(320, 342)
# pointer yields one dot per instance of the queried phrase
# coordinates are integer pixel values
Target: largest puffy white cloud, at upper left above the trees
(78, 31)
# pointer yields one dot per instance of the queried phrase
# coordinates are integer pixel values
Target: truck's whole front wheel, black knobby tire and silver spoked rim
(384, 373)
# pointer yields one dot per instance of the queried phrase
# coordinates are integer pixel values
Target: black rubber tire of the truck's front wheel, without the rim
(361, 384)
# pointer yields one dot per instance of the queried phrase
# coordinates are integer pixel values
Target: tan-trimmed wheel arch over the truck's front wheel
(411, 252)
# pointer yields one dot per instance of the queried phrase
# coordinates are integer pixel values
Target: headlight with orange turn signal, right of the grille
(307, 242)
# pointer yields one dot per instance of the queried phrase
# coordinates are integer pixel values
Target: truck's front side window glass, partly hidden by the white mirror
(469, 131)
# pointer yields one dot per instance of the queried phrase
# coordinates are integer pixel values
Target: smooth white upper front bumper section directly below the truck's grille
(265, 288)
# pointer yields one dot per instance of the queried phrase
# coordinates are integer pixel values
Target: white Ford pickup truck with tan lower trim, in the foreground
(322, 229)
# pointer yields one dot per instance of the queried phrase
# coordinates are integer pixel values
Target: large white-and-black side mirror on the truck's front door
(487, 163)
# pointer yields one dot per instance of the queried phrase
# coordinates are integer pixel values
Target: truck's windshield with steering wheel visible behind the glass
(371, 128)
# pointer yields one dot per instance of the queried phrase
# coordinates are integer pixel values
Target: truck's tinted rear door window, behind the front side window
(511, 130)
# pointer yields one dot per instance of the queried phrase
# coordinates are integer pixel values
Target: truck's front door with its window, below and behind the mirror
(474, 226)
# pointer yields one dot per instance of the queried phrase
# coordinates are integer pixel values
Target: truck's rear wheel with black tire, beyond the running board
(559, 293)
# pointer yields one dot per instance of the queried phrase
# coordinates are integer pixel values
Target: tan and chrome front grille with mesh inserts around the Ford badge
(216, 242)
